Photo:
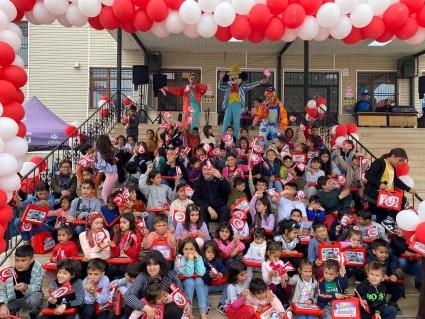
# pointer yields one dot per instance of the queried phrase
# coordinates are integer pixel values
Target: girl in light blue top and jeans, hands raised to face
(188, 263)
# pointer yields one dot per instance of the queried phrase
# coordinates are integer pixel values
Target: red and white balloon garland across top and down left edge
(252, 20)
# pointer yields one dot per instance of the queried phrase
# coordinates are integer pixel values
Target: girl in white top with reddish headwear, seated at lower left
(90, 248)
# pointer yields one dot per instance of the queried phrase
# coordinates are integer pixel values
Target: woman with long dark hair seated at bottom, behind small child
(154, 268)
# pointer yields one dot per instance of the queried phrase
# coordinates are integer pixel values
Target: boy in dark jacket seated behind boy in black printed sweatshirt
(393, 273)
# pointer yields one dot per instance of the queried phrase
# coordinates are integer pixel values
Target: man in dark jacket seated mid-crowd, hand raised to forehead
(211, 192)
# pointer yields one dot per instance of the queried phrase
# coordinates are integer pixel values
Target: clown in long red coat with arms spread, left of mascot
(192, 94)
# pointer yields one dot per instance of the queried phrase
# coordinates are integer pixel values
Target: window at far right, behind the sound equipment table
(379, 85)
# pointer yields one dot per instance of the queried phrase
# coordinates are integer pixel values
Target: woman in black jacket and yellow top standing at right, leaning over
(382, 175)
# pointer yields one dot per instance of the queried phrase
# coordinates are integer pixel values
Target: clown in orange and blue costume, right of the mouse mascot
(272, 116)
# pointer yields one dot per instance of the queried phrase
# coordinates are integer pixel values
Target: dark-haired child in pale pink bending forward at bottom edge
(259, 297)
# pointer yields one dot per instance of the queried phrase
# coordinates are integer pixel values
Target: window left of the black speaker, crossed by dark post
(103, 81)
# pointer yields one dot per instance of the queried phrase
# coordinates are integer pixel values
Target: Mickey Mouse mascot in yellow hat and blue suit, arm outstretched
(234, 96)
